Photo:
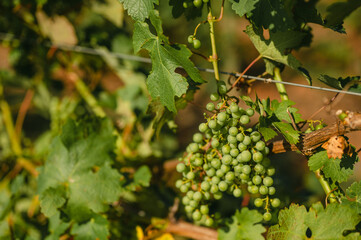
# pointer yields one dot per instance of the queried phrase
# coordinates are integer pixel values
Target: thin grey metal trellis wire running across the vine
(99, 52)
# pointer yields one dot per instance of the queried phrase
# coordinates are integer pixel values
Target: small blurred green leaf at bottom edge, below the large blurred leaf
(96, 228)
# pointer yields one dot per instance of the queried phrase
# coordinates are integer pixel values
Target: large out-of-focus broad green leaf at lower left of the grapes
(82, 163)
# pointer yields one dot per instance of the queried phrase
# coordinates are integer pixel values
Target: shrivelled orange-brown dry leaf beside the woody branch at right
(336, 146)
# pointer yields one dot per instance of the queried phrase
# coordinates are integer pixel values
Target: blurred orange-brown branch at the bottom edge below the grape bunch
(189, 230)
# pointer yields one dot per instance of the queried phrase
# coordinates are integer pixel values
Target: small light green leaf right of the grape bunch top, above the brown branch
(280, 110)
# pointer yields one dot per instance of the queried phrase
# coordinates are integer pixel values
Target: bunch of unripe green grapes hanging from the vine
(225, 157)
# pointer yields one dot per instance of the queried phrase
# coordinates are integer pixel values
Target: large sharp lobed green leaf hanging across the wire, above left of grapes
(163, 81)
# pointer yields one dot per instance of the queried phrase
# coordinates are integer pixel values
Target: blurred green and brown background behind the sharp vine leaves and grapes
(37, 83)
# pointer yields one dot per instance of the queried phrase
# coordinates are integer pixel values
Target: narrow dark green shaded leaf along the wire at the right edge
(353, 83)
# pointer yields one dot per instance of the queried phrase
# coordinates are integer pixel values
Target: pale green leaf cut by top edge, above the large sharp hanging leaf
(139, 10)
